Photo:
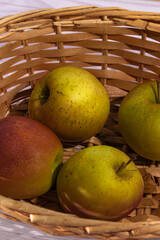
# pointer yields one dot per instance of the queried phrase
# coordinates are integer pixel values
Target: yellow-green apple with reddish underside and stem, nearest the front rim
(92, 184)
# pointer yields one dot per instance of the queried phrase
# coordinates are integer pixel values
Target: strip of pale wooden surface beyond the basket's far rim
(15, 6)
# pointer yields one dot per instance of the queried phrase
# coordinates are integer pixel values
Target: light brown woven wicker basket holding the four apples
(122, 49)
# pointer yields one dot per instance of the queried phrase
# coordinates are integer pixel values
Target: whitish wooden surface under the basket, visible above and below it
(20, 231)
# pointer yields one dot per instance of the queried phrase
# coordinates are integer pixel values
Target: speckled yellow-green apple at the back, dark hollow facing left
(71, 101)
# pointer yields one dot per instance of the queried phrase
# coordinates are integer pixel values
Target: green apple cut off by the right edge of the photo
(139, 120)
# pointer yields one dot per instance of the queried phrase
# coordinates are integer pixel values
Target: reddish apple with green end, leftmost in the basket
(30, 157)
